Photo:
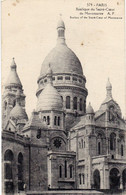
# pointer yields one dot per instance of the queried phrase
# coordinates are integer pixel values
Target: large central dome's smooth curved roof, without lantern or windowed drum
(62, 60)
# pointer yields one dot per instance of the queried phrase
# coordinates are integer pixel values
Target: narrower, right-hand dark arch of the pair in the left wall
(20, 171)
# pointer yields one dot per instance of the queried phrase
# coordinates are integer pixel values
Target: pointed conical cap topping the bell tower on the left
(13, 78)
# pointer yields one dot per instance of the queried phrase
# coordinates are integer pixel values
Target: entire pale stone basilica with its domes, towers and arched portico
(65, 144)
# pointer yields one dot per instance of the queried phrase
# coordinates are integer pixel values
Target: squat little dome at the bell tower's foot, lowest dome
(18, 112)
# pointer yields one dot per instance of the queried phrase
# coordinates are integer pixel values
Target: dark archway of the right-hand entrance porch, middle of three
(114, 178)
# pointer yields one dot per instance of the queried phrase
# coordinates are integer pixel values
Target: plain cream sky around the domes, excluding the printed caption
(29, 33)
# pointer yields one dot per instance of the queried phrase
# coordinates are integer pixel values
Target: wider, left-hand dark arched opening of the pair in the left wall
(8, 171)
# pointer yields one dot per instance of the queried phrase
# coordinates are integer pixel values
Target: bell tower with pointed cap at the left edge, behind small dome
(11, 88)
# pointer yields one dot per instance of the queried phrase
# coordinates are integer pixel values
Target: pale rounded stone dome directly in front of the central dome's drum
(49, 99)
